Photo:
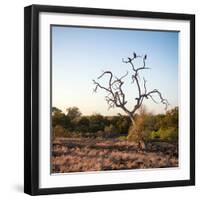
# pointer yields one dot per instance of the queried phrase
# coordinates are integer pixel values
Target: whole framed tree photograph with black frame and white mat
(109, 99)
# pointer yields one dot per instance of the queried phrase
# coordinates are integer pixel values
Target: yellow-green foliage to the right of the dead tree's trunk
(148, 127)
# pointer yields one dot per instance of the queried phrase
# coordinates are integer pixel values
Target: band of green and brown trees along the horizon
(74, 124)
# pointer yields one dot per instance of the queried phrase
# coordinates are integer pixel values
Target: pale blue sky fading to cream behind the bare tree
(80, 54)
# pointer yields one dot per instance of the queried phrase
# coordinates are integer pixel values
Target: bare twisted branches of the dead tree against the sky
(116, 97)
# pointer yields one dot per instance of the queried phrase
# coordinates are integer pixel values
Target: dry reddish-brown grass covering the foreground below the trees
(81, 154)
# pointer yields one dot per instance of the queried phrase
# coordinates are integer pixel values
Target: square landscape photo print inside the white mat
(114, 99)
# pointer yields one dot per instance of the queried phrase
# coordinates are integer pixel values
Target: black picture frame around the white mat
(31, 98)
